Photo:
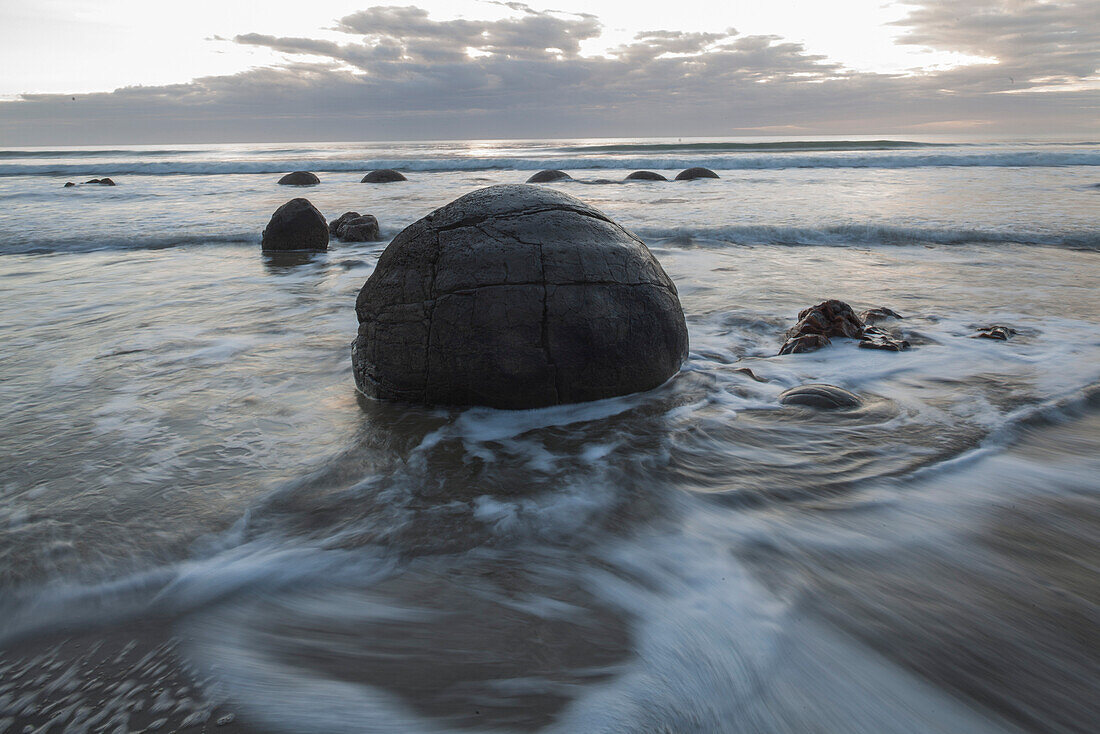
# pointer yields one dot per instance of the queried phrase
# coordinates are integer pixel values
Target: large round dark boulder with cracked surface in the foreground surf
(516, 298)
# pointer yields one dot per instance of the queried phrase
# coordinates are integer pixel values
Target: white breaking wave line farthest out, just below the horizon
(742, 162)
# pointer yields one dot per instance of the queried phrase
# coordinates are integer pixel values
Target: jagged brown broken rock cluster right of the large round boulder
(837, 319)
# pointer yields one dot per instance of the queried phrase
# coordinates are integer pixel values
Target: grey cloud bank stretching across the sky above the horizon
(402, 74)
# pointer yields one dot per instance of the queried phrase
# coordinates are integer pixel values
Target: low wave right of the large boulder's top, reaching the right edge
(866, 235)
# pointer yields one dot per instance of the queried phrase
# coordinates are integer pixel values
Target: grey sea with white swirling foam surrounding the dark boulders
(204, 527)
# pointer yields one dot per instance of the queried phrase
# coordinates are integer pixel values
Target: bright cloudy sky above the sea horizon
(140, 72)
